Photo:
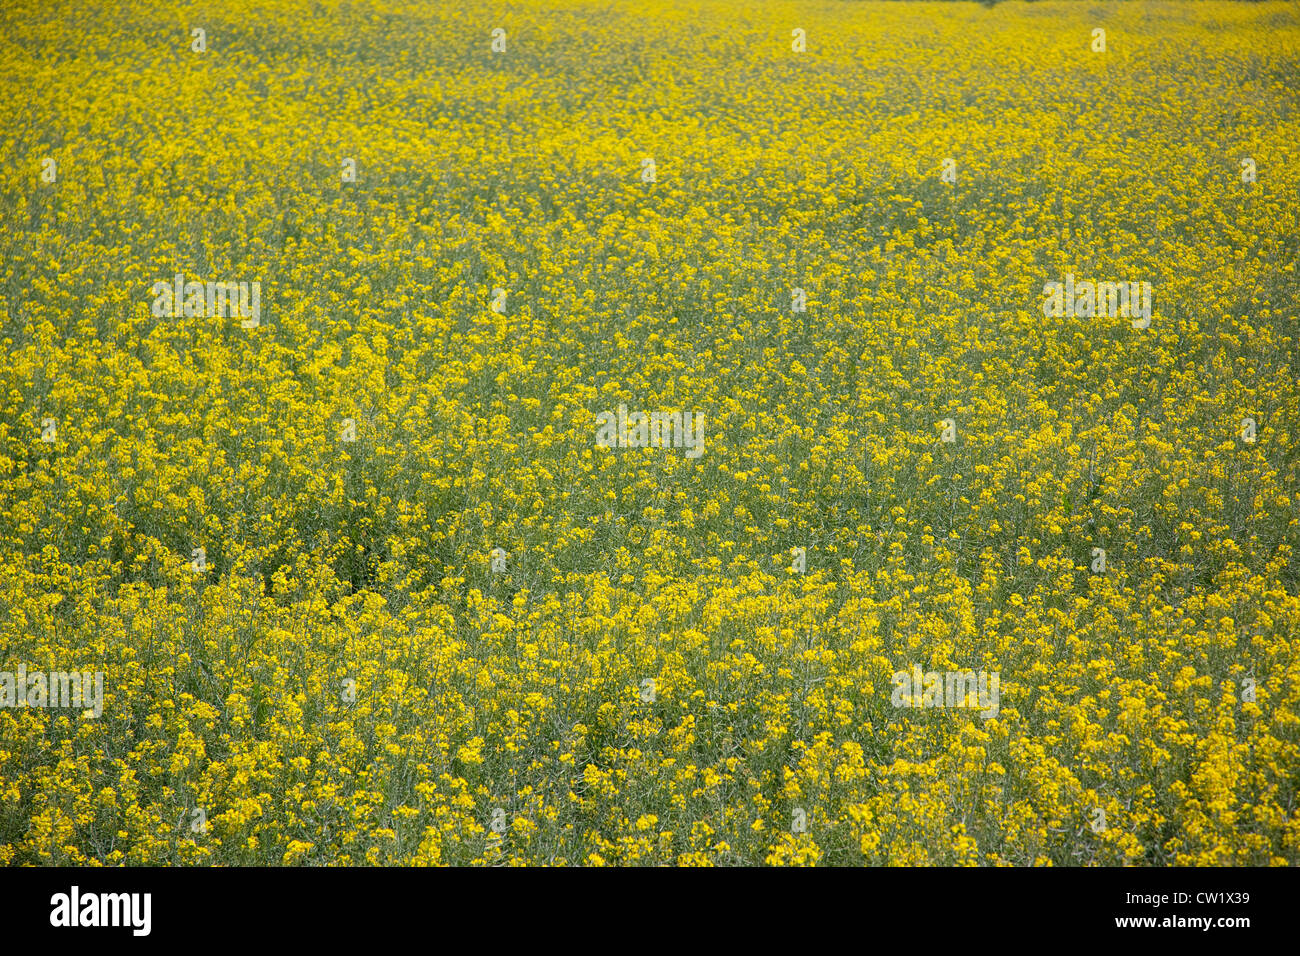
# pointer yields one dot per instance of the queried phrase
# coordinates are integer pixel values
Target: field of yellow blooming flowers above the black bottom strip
(337, 345)
